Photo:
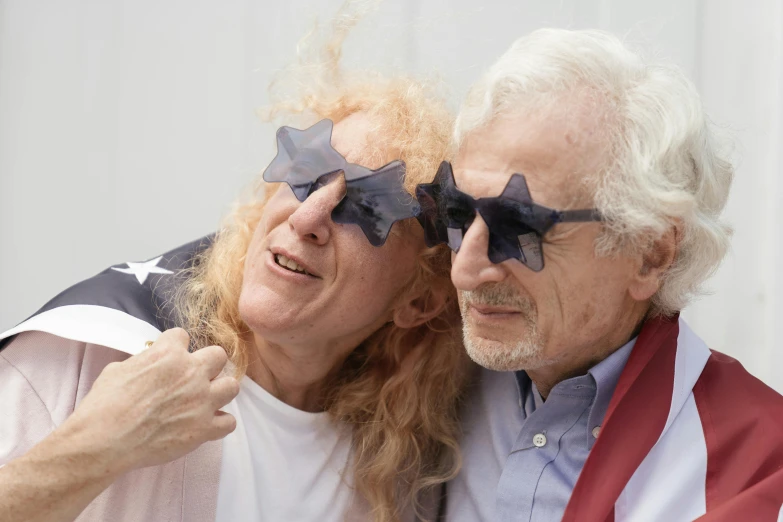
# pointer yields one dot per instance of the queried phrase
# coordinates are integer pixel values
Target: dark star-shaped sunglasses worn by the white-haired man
(516, 224)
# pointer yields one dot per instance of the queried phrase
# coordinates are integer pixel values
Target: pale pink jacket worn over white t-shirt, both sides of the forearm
(42, 379)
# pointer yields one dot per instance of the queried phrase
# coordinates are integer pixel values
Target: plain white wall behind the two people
(127, 126)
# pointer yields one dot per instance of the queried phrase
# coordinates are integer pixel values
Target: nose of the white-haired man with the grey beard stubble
(471, 266)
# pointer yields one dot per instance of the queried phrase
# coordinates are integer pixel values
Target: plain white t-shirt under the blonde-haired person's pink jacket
(282, 464)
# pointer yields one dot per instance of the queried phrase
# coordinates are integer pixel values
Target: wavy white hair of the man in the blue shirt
(664, 164)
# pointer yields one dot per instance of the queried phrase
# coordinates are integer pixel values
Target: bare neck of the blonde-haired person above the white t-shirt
(294, 374)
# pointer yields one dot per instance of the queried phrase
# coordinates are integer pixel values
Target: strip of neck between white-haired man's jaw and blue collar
(577, 360)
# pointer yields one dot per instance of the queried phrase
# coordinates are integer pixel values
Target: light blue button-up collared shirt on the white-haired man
(531, 450)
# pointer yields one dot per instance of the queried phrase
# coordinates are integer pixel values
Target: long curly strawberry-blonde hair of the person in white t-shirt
(400, 389)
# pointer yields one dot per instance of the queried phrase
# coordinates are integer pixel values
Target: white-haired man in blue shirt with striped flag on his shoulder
(596, 402)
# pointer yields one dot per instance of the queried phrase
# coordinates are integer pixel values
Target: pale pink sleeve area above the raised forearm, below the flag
(42, 378)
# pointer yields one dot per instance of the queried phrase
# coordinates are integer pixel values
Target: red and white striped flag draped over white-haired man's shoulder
(689, 435)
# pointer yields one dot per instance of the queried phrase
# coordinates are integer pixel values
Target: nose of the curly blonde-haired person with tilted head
(312, 219)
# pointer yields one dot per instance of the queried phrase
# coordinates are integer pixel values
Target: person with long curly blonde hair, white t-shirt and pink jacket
(349, 367)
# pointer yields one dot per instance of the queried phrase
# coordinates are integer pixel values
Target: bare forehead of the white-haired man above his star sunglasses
(556, 150)
